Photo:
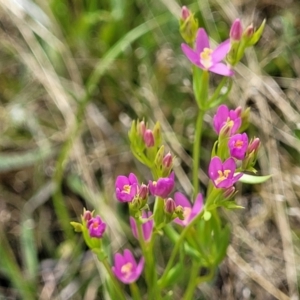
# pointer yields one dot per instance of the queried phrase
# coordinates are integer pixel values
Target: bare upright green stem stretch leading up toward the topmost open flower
(196, 151)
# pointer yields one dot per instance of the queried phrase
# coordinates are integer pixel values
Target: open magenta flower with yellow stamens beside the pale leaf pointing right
(222, 174)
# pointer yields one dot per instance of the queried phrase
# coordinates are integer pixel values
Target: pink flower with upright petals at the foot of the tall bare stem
(189, 211)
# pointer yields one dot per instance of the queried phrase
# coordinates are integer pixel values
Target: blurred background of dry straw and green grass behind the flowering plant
(73, 76)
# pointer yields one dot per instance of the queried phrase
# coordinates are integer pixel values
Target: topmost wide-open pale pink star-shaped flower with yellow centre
(206, 58)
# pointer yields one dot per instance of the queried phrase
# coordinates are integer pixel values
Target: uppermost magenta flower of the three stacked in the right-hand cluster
(226, 117)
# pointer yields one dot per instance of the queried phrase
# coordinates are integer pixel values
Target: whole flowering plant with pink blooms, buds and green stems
(199, 238)
